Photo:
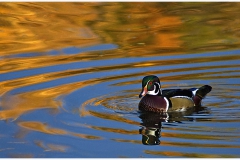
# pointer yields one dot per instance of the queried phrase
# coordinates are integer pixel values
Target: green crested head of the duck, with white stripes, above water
(150, 85)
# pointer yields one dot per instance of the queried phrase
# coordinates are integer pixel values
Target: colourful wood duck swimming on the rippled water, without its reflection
(157, 100)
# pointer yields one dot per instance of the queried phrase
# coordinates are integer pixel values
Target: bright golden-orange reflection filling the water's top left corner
(43, 26)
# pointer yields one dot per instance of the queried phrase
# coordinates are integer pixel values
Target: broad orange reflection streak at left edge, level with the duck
(39, 99)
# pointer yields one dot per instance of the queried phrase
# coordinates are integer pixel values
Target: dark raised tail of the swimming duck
(201, 93)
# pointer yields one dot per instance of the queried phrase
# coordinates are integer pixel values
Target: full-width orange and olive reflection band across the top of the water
(149, 27)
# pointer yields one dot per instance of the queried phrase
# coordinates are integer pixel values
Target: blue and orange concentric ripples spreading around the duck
(105, 99)
